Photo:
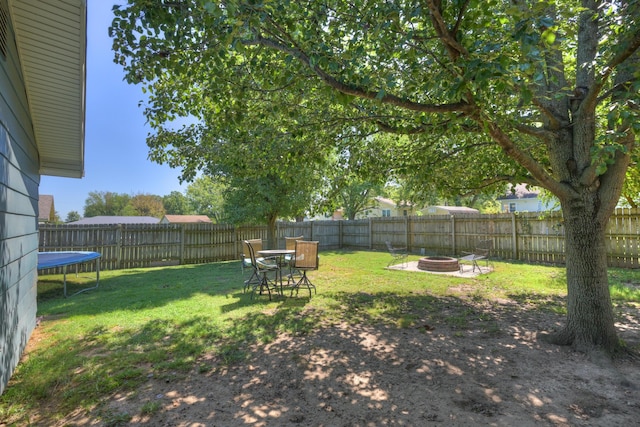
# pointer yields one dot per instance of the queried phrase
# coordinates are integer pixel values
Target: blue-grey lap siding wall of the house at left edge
(19, 182)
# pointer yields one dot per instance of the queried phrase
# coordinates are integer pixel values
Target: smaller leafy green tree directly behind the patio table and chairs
(267, 168)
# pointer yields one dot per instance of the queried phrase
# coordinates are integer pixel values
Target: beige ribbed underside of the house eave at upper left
(51, 41)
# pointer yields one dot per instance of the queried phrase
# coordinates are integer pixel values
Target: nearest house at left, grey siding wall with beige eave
(42, 120)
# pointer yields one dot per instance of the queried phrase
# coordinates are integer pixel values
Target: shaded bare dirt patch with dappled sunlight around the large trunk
(478, 371)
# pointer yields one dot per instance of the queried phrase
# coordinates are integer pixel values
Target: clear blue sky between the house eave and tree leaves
(115, 134)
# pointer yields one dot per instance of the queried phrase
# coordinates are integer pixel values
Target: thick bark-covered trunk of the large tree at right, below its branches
(590, 322)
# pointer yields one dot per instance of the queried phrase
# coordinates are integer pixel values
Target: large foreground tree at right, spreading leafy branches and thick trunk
(486, 92)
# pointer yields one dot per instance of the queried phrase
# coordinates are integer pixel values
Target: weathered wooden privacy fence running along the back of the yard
(528, 237)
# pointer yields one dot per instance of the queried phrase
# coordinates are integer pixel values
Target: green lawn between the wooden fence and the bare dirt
(162, 321)
